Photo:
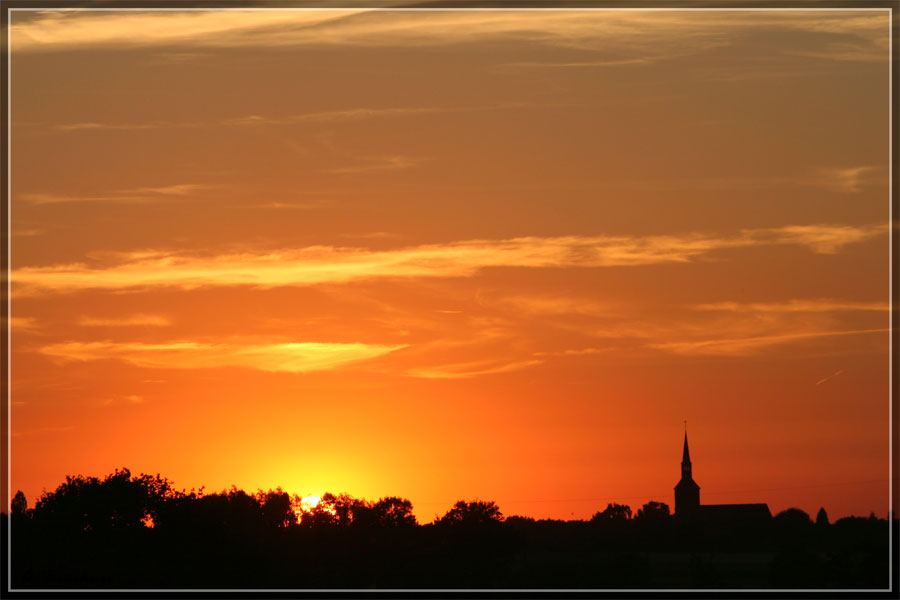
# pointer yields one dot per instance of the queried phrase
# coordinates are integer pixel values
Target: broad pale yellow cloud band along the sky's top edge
(617, 35)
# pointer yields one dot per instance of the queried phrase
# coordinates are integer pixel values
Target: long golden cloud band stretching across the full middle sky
(325, 264)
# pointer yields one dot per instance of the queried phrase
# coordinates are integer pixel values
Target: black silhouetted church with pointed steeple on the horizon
(688, 507)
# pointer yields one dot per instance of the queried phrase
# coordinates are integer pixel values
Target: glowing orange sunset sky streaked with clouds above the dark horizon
(469, 254)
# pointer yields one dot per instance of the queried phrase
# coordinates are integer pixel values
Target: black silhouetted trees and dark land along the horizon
(127, 531)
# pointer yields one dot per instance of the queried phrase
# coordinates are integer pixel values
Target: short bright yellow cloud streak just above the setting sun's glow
(301, 357)
